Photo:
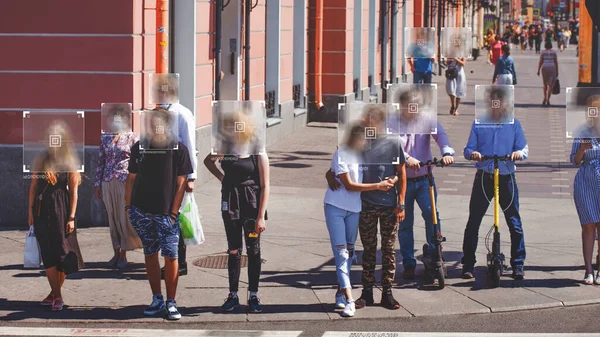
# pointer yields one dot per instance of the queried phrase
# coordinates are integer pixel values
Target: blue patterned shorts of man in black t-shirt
(157, 232)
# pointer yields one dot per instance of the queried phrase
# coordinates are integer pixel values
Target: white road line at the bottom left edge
(22, 331)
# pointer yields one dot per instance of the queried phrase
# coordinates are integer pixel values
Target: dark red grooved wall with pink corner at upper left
(75, 55)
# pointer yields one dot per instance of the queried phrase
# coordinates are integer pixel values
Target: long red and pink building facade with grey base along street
(73, 55)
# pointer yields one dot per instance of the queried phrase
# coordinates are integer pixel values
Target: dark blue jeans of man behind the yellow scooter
(479, 205)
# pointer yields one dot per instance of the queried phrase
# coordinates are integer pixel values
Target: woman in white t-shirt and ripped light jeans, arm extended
(342, 210)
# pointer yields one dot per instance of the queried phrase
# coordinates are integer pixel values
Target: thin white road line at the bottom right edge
(449, 334)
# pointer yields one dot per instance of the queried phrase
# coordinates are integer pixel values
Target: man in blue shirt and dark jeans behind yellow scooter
(495, 137)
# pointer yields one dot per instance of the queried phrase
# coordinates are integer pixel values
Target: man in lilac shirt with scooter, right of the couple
(417, 148)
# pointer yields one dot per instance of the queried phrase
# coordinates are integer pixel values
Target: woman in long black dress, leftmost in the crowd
(52, 209)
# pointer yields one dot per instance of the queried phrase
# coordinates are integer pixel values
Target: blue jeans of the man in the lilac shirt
(416, 191)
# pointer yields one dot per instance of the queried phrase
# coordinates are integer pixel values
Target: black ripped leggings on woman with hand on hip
(234, 230)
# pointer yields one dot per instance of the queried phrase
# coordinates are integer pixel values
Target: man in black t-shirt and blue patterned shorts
(158, 170)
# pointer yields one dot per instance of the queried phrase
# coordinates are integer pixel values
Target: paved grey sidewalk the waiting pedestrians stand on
(298, 278)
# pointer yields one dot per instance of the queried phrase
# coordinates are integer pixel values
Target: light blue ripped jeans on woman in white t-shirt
(343, 230)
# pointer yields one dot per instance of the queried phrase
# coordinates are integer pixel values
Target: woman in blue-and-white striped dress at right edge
(585, 154)
